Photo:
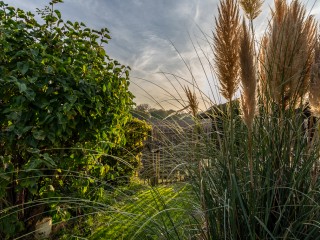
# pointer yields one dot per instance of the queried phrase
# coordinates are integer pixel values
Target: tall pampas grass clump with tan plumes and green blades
(262, 180)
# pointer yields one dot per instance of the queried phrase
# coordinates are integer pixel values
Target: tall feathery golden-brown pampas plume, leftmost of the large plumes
(226, 46)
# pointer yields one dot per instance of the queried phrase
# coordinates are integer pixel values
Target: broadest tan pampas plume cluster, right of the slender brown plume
(288, 54)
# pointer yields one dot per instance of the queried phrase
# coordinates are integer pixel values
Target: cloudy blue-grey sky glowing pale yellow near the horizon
(162, 41)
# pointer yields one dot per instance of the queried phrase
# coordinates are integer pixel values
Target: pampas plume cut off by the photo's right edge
(314, 88)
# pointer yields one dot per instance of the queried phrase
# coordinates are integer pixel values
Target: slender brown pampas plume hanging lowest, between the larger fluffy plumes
(248, 78)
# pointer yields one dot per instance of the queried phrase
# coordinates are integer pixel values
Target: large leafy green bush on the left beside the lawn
(60, 94)
